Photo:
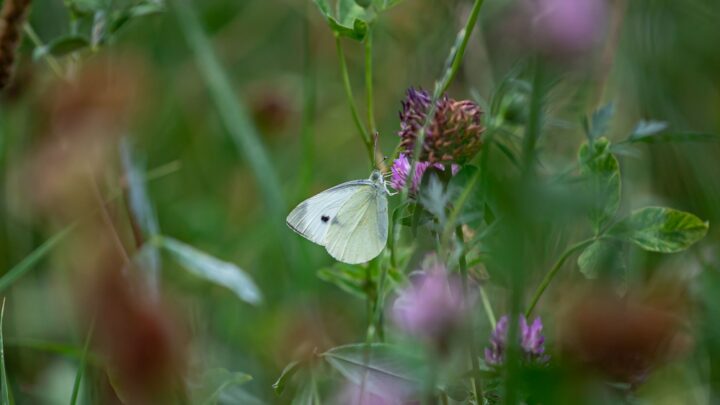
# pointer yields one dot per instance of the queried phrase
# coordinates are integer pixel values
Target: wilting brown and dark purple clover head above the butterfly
(454, 134)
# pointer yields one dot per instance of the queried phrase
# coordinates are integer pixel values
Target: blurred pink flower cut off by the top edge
(567, 26)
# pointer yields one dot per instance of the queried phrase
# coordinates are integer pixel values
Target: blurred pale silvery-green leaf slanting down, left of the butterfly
(214, 270)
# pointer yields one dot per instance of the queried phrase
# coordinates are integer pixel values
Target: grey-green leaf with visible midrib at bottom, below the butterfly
(379, 364)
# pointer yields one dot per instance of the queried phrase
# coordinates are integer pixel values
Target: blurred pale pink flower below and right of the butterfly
(432, 305)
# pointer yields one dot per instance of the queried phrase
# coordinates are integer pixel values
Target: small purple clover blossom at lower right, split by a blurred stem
(532, 342)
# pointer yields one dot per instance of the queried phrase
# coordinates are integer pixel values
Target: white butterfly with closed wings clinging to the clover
(350, 219)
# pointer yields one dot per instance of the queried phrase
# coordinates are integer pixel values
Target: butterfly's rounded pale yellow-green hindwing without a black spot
(359, 231)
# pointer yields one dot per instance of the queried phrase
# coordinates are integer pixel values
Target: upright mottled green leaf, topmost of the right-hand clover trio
(601, 171)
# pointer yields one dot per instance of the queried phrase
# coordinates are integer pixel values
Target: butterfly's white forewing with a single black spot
(312, 217)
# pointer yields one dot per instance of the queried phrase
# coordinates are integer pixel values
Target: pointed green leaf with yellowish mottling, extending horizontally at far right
(659, 229)
